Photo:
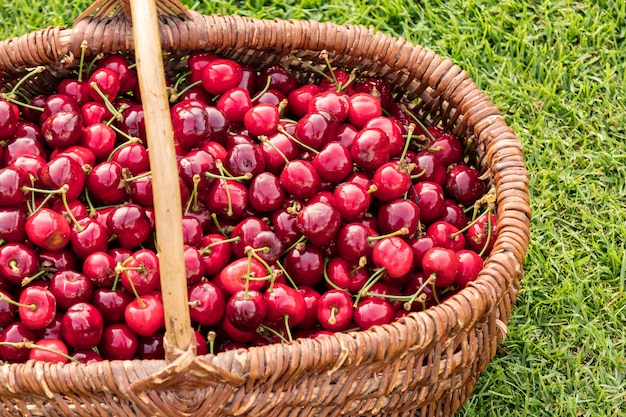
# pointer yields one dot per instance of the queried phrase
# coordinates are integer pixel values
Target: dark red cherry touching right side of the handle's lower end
(207, 303)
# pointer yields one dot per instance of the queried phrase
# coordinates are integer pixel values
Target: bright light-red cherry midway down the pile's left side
(48, 229)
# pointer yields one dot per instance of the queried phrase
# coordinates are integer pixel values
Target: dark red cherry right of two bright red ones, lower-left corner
(82, 326)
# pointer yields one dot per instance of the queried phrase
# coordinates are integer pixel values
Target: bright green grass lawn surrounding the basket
(557, 70)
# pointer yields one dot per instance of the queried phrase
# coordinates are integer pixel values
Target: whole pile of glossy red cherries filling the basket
(309, 208)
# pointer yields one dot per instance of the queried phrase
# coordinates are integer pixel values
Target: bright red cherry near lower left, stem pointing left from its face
(37, 307)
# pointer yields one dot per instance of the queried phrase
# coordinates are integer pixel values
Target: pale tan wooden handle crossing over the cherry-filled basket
(167, 200)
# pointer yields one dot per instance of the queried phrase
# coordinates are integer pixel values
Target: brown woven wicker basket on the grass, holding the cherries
(425, 364)
